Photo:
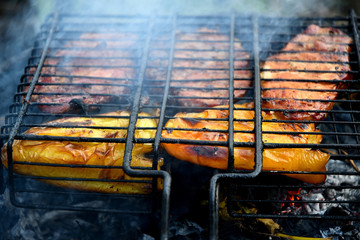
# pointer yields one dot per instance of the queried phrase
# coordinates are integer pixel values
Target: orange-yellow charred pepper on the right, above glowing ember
(209, 126)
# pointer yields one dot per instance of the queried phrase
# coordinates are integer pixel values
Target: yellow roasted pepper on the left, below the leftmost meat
(107, 154)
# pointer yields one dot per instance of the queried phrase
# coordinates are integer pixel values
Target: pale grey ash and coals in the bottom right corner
(340, 197)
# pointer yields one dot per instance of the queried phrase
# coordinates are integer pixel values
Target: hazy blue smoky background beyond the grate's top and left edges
(22, 20)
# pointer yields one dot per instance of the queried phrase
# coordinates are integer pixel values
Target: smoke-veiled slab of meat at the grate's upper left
(90, 70)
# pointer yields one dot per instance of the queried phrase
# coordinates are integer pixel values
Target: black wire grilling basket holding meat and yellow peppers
(154, 49)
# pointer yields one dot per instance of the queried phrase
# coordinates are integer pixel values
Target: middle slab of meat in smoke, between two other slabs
(200, 70)
